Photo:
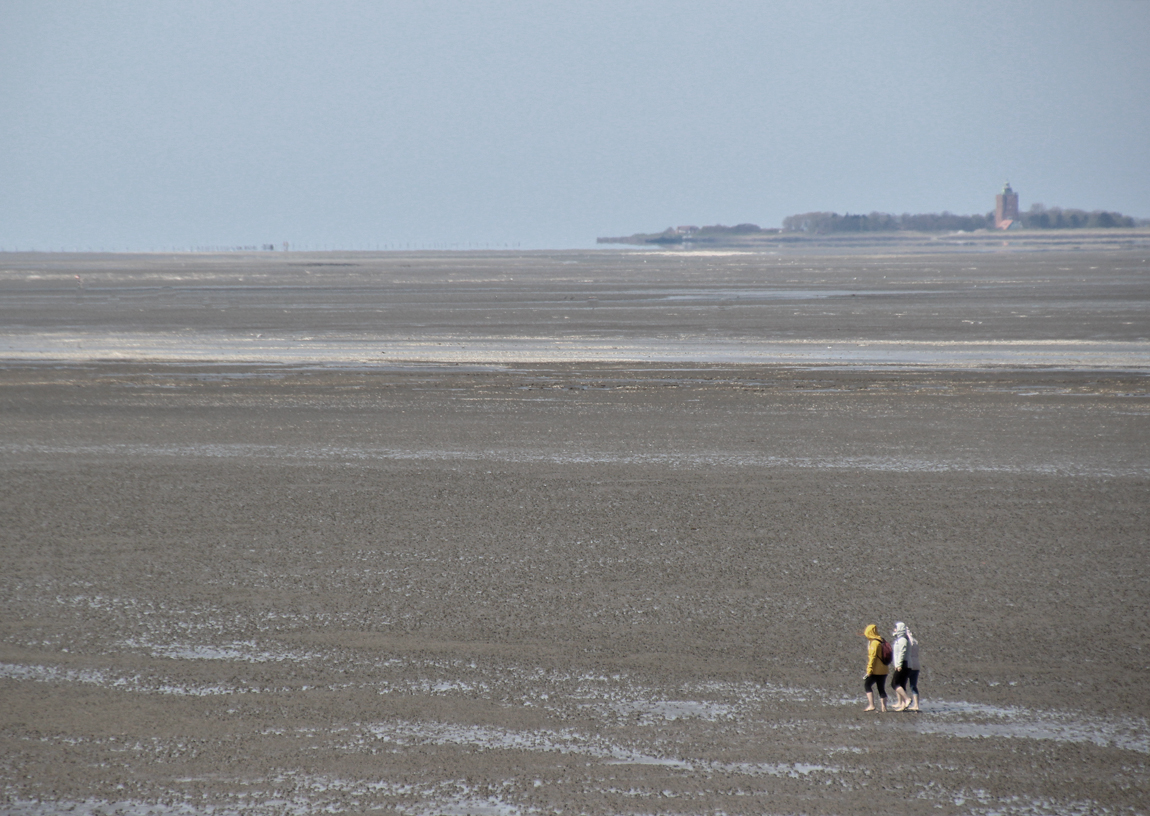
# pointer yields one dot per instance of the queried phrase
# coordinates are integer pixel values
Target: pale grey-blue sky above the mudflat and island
(357, 125)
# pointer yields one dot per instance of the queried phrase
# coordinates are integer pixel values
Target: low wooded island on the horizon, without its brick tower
(1038, 218)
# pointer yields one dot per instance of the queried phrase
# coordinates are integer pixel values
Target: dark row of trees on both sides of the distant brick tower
(1039, 218)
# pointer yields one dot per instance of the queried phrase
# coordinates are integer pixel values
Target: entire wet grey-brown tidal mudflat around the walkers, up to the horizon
(605, 550)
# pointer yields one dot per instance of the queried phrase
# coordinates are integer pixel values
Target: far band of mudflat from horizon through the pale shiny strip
(1036, 309)
